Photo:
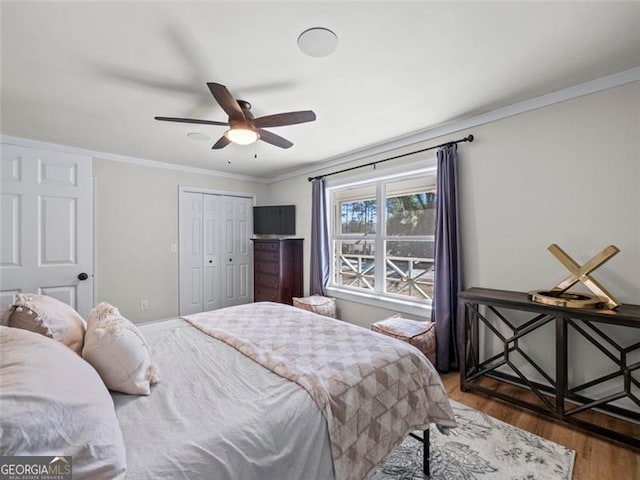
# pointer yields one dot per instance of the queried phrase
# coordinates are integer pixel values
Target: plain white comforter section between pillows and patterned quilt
(203, 421)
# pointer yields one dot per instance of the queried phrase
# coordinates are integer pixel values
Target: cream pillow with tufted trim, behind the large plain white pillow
(50, 317)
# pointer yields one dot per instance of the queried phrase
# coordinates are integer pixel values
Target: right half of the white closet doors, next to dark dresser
(237, 272)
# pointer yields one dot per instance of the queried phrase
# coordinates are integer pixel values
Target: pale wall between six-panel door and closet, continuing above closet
(136, 215)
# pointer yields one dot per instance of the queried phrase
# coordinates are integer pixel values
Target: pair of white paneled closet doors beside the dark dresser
(215, 256)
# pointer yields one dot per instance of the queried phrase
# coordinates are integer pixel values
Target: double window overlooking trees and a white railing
(382, 237)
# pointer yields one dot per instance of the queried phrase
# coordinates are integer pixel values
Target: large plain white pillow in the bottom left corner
(53, 403)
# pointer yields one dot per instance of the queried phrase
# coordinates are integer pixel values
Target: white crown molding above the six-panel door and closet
(56, 147)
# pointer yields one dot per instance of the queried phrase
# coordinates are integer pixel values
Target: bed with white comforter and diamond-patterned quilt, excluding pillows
(268, 391)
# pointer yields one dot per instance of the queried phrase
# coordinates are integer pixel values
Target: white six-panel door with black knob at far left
(46, 226)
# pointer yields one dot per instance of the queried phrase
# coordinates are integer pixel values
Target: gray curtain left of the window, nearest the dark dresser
(319, 240)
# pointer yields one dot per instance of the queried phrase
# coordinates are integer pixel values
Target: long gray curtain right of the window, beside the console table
(448, 279)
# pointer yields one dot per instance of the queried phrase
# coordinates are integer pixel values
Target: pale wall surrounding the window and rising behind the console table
(566, 174)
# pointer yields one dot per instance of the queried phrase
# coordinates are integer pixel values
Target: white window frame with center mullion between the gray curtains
(377, 297)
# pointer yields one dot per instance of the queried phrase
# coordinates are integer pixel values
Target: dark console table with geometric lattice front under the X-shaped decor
(510, 372)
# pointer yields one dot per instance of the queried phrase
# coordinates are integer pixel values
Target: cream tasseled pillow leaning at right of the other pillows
(119, 353)
